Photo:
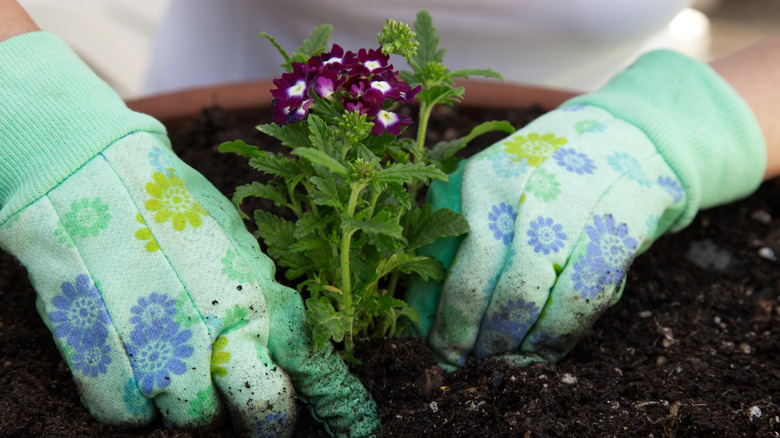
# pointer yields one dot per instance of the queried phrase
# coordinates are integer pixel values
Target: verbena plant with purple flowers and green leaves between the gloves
(351, 179)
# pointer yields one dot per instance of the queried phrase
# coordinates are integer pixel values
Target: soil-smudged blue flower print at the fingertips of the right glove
(507, 327)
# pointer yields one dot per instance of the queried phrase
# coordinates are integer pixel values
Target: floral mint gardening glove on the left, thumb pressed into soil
(157, 296)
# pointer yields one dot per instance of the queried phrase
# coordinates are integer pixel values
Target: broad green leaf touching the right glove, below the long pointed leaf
(428, 225)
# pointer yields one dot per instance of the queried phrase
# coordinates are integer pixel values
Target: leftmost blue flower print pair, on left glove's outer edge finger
(81, 321)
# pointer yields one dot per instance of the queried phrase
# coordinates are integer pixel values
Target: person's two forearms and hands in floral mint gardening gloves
(557, 210)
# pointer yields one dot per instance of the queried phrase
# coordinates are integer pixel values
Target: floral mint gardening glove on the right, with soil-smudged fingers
(559, 210)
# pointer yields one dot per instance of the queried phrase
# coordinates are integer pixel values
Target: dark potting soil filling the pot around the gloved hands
(691, 350)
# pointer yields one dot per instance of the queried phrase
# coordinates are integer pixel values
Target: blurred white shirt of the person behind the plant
(570, 44)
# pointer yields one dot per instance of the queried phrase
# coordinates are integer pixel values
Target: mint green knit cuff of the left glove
(47, 98)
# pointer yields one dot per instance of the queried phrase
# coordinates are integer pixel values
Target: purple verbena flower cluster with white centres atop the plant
(362, 81)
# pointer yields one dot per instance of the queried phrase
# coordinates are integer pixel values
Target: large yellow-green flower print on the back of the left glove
(172, 201)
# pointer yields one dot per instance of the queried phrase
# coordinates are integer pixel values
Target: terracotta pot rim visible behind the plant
(174, 108)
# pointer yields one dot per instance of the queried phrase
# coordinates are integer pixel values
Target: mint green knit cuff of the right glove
(705, 131)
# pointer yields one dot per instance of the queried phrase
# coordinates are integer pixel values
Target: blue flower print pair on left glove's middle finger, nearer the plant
(157, 346)
